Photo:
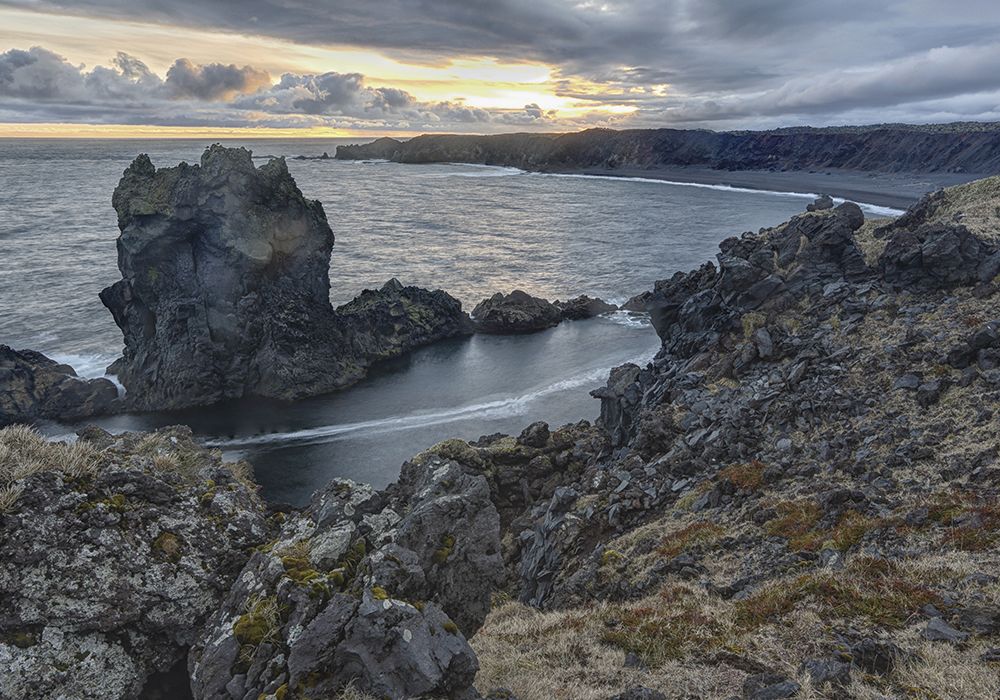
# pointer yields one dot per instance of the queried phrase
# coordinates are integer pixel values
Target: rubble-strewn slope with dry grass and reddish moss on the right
(798, 491)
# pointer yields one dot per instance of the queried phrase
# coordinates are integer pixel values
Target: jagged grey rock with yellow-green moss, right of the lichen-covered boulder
(376, 588)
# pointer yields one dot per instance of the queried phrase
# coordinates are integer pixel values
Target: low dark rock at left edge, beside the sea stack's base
(32, 386)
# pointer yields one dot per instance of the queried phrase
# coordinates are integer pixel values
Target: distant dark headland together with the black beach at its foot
(890, 165)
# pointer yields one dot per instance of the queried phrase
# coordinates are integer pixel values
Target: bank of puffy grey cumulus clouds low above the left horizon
(40, 85)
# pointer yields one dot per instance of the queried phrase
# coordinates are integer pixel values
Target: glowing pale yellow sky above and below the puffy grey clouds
(478, 82)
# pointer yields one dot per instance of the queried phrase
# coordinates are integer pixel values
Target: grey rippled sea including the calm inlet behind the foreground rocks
(470, 230)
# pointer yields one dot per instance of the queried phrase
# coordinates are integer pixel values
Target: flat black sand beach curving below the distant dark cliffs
(897, 190)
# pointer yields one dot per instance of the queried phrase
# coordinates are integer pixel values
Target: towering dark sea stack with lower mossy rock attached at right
(225, 289)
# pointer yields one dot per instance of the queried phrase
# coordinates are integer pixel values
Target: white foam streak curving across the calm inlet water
(499, 408)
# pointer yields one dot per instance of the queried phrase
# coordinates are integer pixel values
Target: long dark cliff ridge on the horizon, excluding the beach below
(961, 147)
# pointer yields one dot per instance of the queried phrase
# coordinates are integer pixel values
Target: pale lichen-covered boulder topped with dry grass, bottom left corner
(112, 554)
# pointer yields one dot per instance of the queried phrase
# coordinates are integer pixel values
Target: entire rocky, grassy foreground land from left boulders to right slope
(797, 497)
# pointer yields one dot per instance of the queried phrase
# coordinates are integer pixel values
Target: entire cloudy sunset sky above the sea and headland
(401, 67)
